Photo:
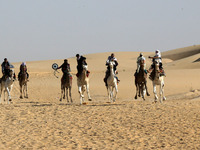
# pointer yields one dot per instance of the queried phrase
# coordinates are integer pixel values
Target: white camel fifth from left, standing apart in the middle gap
(112, 84)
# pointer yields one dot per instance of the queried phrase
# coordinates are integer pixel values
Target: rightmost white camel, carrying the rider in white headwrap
(158, 80)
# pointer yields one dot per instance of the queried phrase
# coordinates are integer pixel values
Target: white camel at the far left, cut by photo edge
(7, 86)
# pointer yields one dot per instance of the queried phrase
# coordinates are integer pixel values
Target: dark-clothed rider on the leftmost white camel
(6, 69)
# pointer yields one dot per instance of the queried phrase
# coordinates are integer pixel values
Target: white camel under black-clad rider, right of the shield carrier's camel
(83, 84)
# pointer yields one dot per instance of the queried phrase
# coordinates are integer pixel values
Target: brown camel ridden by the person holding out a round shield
(66, 84)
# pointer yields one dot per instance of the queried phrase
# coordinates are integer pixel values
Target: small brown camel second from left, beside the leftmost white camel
(23, 83)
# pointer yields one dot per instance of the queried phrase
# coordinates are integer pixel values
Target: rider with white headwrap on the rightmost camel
(157, 58)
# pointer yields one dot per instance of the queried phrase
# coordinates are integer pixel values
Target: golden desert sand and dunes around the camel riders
(43, 122)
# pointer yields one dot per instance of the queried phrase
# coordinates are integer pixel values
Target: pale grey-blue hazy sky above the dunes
(56, 29)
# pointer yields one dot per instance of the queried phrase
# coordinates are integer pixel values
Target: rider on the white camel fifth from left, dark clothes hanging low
(111, 58)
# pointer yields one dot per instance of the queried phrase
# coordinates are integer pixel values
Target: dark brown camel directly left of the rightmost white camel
(141, 82)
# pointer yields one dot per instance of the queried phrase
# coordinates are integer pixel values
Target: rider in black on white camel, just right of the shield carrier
(81, 61)
